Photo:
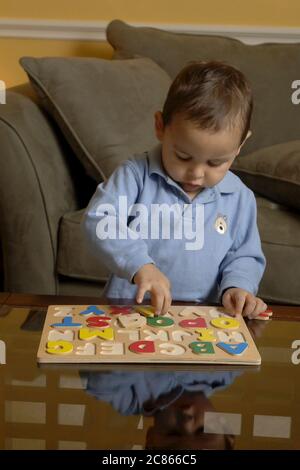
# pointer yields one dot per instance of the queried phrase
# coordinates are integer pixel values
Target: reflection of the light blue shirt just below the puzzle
(129, 392)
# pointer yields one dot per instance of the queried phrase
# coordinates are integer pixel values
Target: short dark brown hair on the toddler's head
(213, 95)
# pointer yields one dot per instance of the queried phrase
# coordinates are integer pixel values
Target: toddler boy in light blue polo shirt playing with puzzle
(140, 222)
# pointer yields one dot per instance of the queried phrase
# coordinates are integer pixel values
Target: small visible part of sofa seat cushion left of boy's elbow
(73, 258)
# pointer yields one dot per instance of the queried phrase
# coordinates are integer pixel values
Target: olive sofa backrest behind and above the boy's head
(269, 67)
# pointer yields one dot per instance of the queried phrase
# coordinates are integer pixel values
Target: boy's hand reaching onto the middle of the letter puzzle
(150, 278)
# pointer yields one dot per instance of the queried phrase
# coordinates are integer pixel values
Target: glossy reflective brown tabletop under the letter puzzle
(156, 407)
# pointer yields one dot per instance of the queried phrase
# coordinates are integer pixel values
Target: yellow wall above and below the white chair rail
(226, 12)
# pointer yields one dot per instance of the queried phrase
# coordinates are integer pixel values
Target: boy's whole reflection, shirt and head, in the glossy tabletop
(179, 403)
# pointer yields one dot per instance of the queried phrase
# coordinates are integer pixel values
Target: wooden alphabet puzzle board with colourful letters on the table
(133, 334)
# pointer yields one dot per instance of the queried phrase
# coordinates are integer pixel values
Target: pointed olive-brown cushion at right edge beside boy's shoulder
(273, 172)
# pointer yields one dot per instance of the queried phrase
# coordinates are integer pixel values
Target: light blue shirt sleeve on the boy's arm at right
(244, 264)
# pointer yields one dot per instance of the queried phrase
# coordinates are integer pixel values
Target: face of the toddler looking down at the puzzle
(193, 157)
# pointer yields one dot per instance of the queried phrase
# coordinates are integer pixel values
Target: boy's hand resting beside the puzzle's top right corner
(236, 301)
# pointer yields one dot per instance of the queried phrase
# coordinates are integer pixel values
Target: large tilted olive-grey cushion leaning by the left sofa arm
(105, 108)
